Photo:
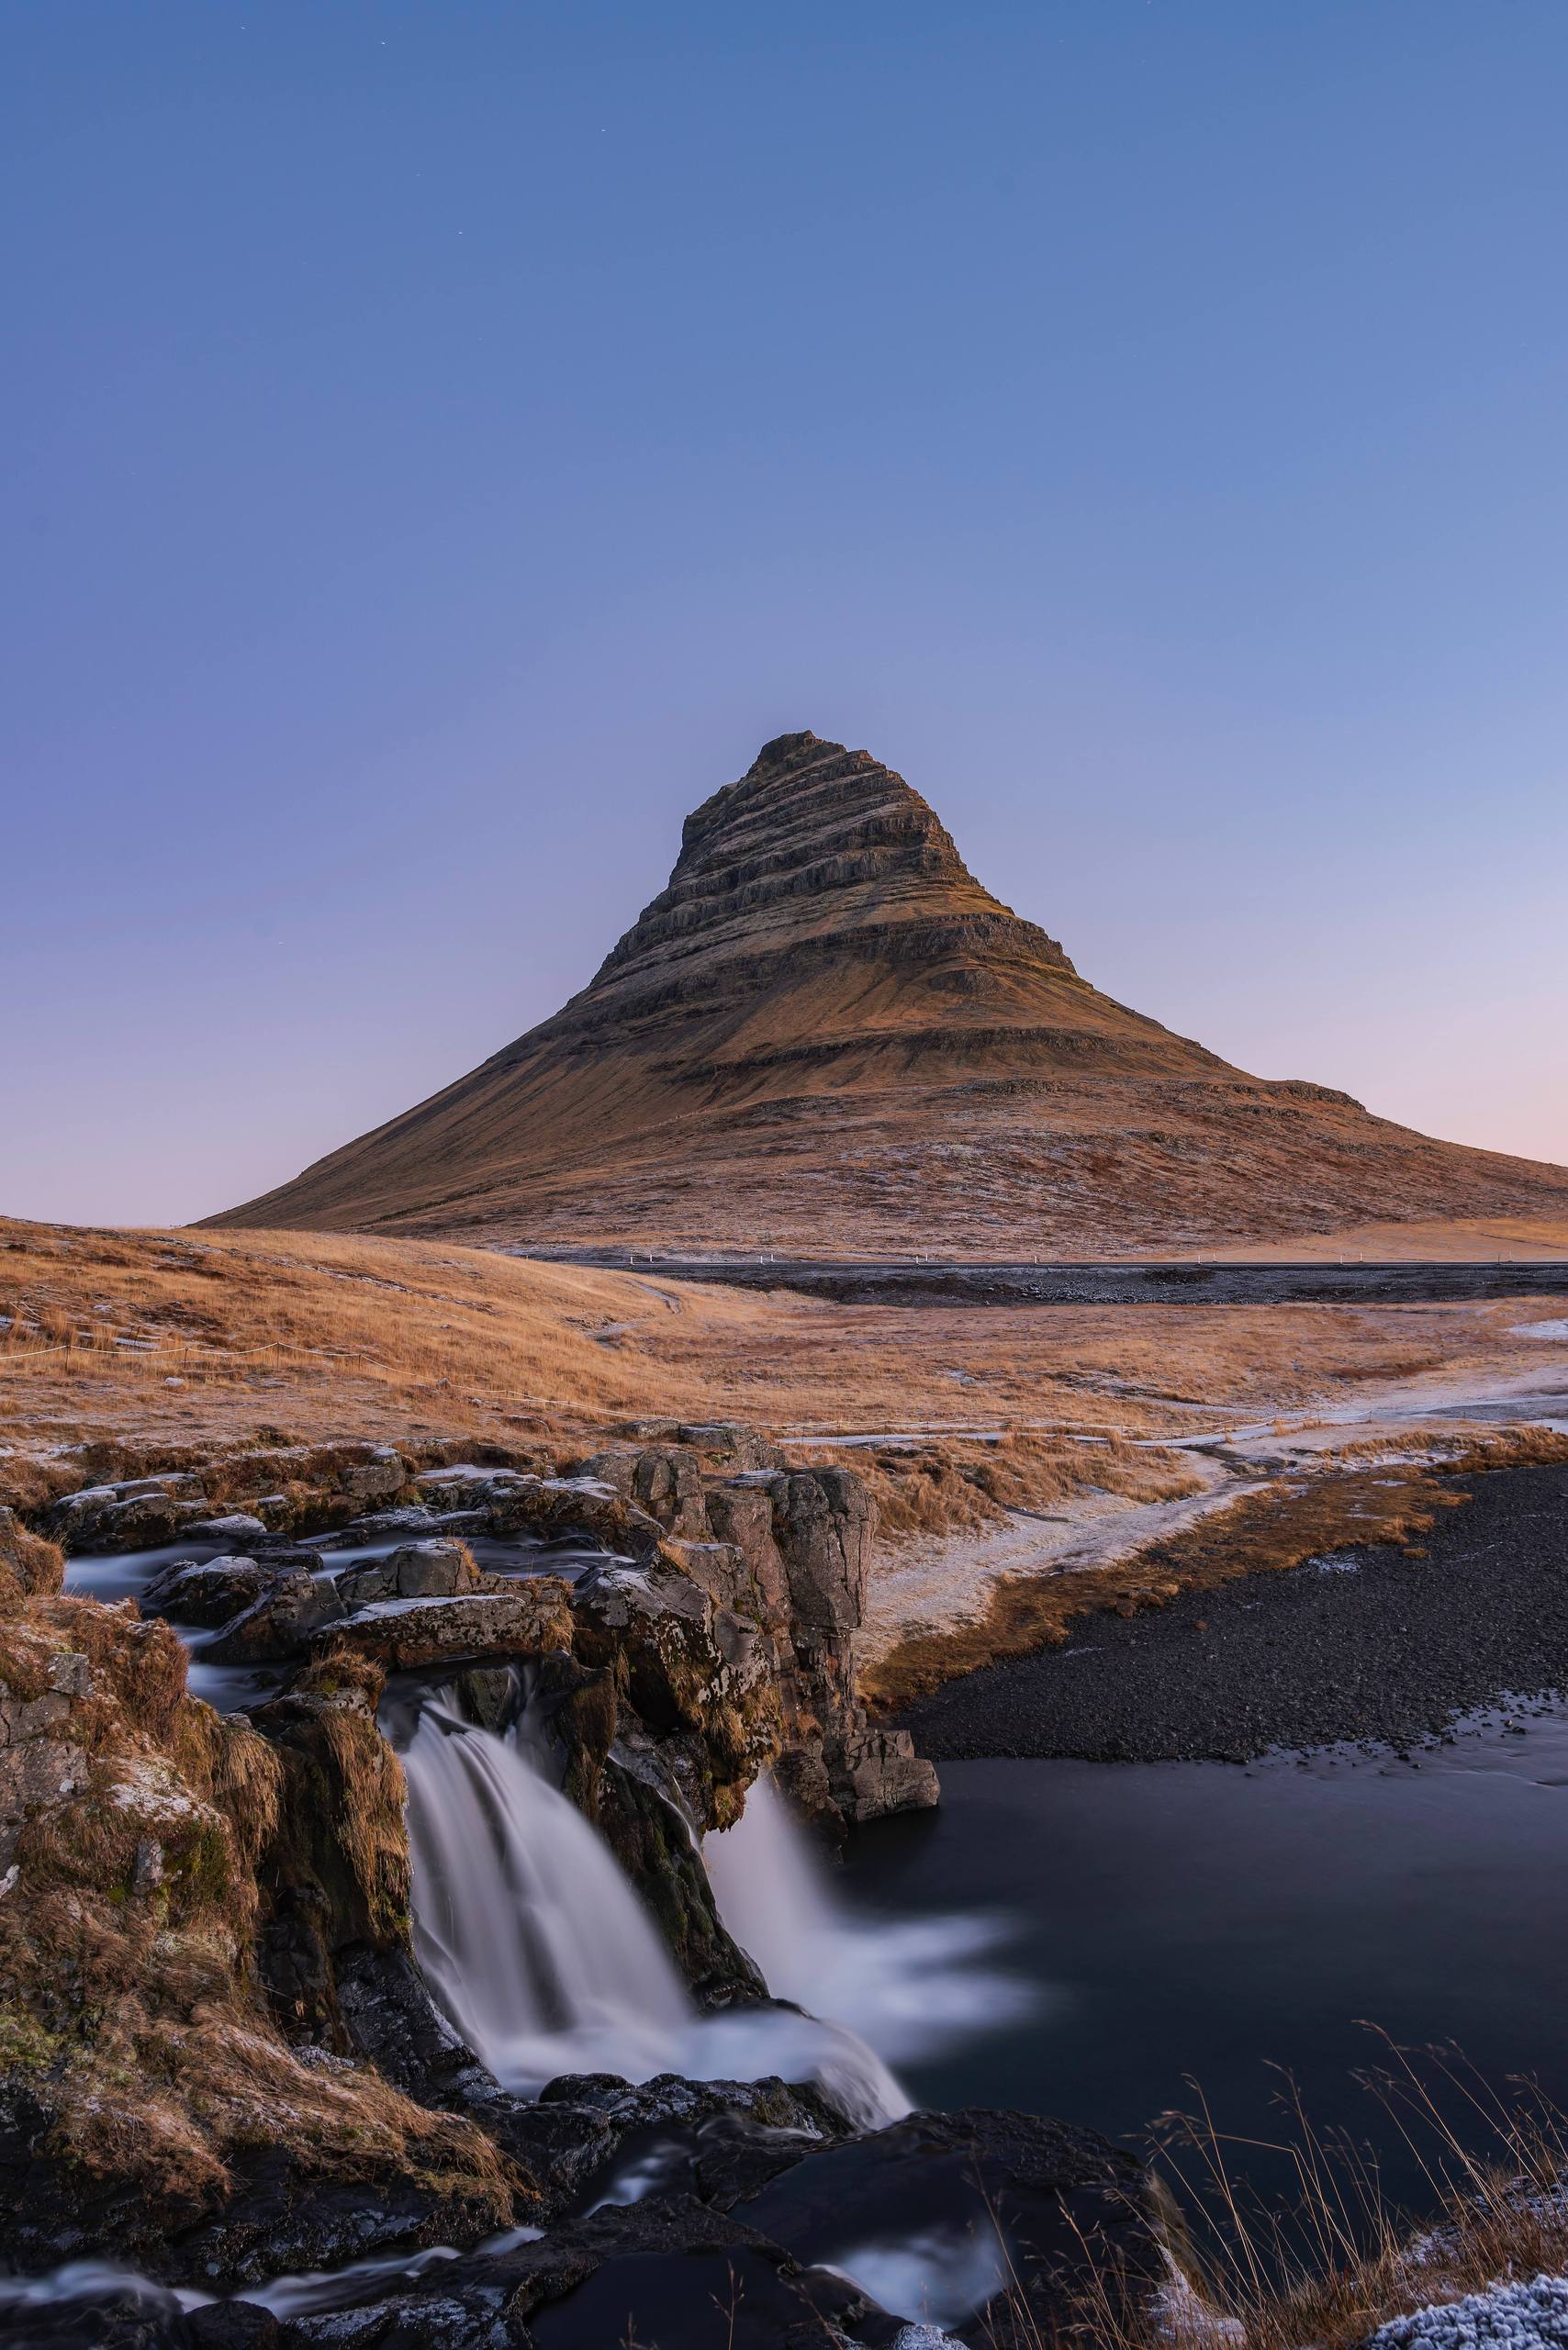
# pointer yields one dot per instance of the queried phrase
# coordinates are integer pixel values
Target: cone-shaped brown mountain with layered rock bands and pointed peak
(829, 1038)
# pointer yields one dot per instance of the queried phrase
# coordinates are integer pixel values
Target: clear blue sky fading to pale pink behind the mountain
(445, 441)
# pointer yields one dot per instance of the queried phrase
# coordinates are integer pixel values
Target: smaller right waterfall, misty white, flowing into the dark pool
(909, 1987)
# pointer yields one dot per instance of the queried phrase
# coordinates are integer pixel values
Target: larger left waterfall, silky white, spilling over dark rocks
(544, 1956)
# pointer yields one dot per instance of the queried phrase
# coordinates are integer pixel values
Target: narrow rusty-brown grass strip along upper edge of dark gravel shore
(1261, 1531)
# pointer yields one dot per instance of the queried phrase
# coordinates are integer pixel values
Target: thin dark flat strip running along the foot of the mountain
(944, 1284)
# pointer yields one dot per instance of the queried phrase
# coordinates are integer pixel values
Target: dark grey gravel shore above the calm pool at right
(1365, 1646)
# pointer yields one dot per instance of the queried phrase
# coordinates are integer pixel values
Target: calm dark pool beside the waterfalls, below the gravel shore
(1214, 1921)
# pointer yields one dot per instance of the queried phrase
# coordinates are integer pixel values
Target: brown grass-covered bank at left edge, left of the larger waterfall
(128, 2008)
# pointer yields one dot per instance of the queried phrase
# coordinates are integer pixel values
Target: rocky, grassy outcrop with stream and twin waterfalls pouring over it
(406, 1900)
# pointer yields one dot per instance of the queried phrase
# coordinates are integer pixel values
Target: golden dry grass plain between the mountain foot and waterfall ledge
(159, 1341)
